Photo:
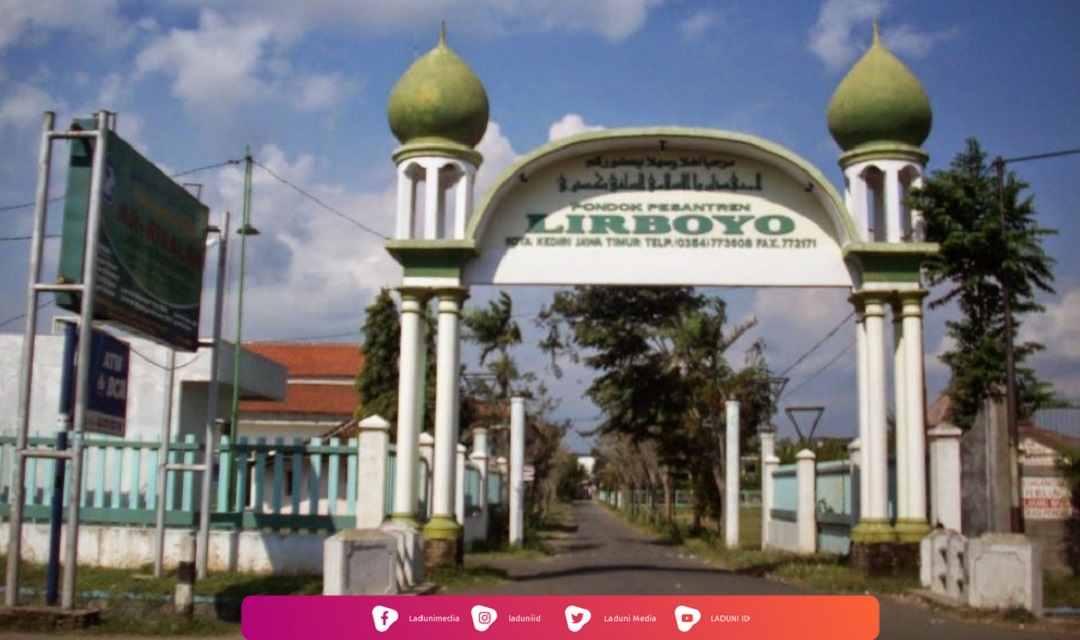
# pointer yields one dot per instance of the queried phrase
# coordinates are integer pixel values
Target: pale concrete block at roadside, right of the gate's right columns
(1005, 571)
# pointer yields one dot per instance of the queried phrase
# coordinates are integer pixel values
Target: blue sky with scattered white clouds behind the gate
(306, 86)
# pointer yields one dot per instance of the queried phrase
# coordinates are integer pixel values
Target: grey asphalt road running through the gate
(603, 556)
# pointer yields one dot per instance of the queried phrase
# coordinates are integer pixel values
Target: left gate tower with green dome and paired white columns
(439, 112)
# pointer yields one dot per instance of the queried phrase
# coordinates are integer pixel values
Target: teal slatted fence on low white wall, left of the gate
(280, 485)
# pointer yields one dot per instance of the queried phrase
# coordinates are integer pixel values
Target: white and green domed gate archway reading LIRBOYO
(667, 207)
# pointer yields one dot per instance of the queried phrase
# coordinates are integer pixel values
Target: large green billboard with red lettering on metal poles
(152, 243)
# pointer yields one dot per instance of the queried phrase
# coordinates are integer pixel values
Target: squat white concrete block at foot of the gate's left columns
(360, 563)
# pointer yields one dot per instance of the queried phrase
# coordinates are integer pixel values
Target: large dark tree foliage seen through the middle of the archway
(664, 376)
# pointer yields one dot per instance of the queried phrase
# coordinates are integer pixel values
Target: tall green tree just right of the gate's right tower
(964, 211)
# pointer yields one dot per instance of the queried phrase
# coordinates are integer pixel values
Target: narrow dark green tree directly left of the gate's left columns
(377, 379)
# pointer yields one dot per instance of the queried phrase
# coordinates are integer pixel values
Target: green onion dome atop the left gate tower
(438, 101)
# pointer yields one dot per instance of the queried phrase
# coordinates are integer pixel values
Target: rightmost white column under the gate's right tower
(915, 434)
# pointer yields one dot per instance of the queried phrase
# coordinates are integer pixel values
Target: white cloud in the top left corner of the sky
(33, 22)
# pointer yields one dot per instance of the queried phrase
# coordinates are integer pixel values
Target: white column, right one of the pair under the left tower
(448, 404)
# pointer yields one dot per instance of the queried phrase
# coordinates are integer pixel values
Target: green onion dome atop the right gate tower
(880, 102)
